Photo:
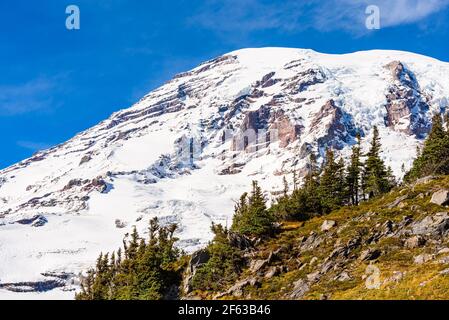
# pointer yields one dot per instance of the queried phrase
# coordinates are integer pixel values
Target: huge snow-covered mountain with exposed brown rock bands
(188, 149)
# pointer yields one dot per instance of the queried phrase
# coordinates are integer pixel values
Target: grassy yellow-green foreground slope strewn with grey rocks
(392, 248)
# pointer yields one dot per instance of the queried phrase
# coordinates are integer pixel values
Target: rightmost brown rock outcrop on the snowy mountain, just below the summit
(406, 104)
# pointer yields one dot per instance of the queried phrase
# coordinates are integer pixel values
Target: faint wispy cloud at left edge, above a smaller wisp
(27, 97)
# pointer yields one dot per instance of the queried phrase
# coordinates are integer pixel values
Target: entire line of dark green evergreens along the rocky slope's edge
(153, 269)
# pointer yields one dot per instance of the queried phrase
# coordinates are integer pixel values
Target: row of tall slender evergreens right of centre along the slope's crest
(335, 183)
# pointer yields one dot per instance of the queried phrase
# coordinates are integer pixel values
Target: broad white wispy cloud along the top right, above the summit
(246, 16)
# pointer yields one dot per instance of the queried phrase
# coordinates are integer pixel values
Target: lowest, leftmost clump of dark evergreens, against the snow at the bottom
(147, 270)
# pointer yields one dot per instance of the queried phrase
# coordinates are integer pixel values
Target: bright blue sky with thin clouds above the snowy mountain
(55, 83)
